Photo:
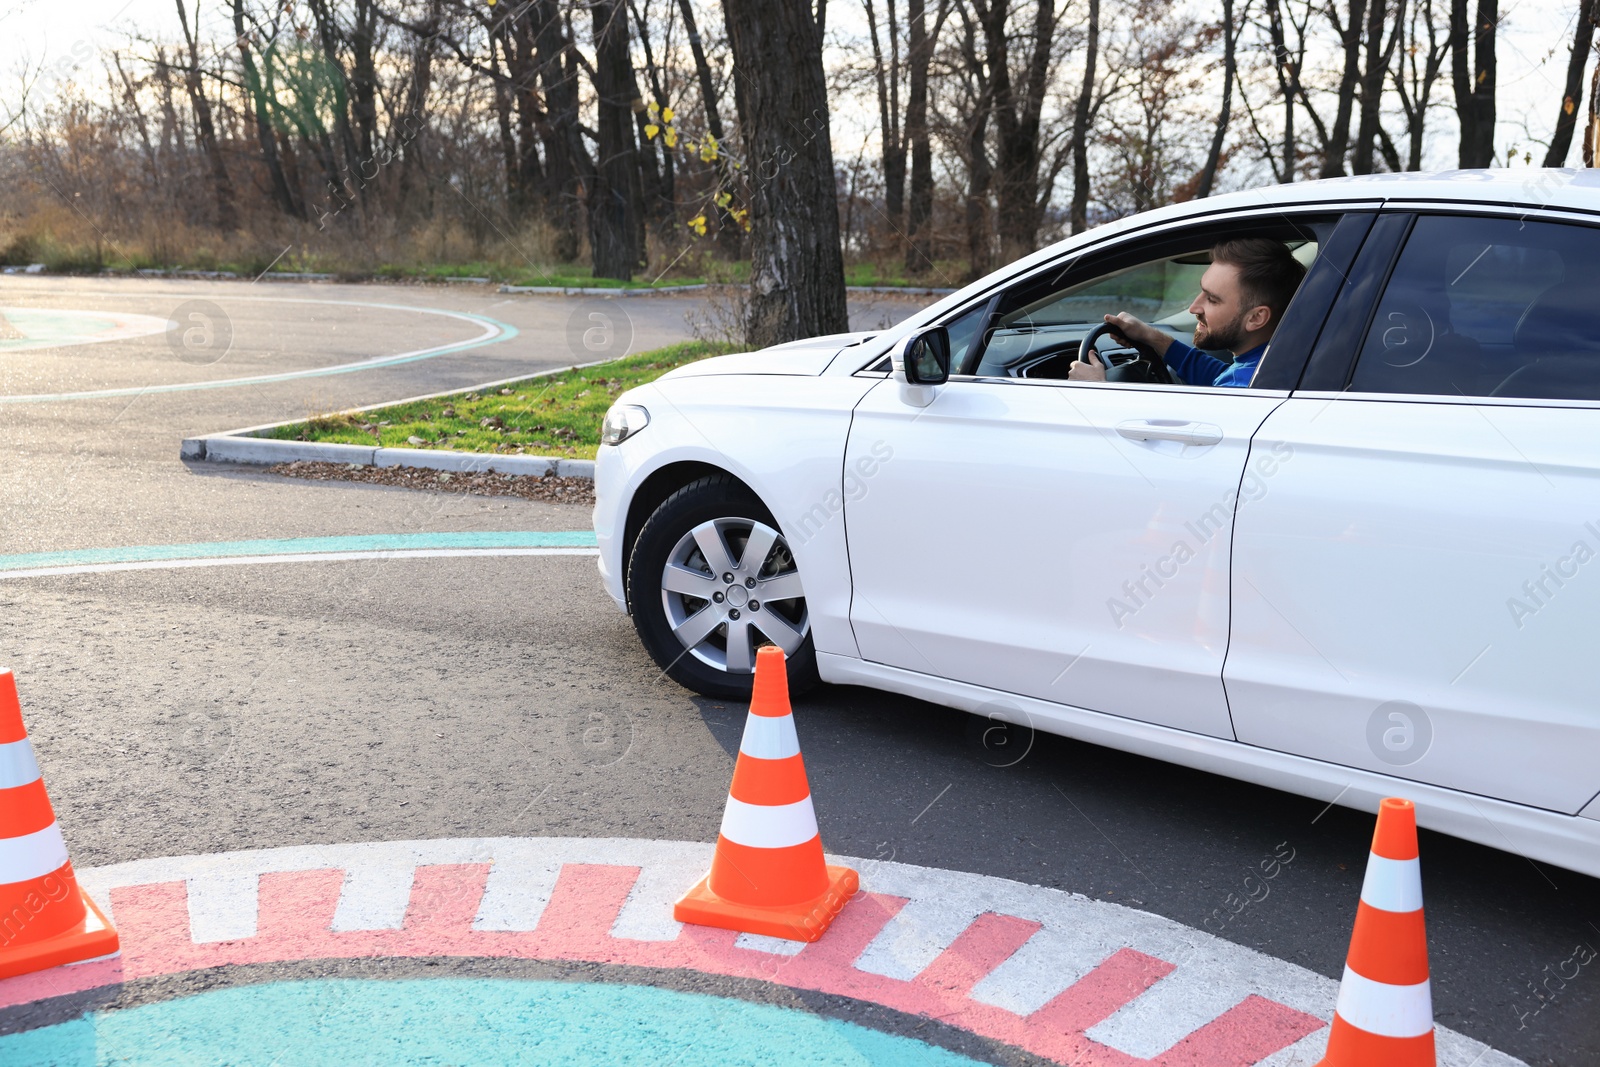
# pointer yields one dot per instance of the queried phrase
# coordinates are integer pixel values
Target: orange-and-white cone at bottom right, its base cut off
(1386, 1009)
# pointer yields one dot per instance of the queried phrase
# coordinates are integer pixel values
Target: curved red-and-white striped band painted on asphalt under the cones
(1137, 988)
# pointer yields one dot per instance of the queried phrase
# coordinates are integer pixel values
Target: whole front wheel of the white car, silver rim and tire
(713, 580)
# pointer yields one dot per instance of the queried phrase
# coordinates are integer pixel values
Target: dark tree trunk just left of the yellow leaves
(617, 220)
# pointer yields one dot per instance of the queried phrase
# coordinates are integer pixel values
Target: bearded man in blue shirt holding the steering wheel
(1241, 305)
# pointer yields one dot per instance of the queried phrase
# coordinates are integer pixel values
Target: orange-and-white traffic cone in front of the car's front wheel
(769, 876)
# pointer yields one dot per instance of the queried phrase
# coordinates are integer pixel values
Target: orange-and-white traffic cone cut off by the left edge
(46, 919)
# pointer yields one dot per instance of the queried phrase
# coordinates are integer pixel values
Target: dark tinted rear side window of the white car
(1489, 308)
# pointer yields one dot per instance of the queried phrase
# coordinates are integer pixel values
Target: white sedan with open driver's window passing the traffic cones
(1375, 572)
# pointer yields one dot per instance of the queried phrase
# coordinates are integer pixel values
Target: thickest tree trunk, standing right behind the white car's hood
(798, 271)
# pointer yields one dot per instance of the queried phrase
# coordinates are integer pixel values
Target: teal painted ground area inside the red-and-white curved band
(462, 1023)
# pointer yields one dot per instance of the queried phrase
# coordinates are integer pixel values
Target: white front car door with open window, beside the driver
(1066, 541)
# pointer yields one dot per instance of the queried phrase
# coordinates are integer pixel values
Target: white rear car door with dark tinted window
(1417, 593)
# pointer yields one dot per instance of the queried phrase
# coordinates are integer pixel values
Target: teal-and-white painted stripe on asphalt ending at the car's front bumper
(415, 546)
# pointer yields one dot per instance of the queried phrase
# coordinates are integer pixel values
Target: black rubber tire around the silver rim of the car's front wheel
(727, 503)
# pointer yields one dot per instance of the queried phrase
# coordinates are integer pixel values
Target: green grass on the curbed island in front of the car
(556, 415)
